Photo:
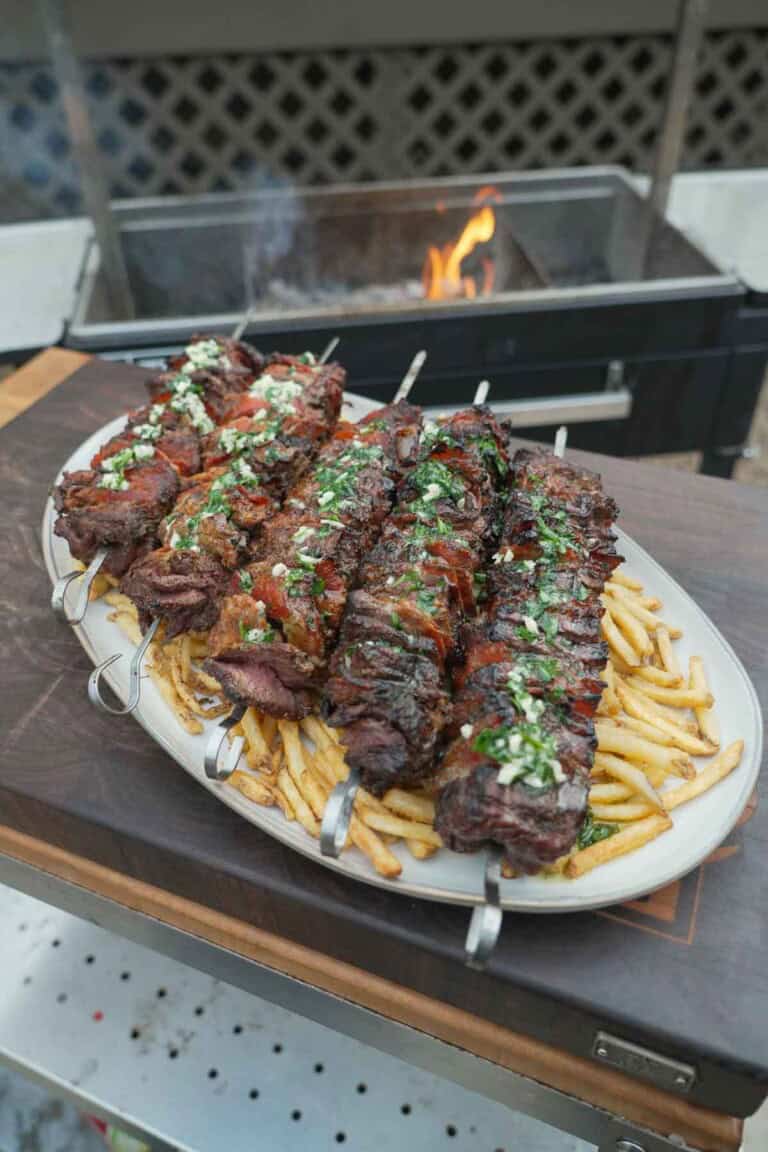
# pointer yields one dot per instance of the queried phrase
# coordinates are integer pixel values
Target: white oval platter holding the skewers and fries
(699, 827)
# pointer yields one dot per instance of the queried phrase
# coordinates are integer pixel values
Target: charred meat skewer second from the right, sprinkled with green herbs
(390, 684)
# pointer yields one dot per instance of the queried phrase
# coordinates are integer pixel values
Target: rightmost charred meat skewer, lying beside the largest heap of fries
(522, 738)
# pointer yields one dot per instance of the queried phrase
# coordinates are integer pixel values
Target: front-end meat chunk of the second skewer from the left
(183, 588)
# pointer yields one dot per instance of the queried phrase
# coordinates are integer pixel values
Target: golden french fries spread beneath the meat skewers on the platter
(652, 722)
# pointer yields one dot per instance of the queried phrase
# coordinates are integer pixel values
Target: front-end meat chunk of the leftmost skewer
(118, 509)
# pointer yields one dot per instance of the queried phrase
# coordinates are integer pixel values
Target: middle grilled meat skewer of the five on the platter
(270, 645)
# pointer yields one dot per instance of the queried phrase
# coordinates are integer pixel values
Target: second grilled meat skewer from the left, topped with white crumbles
(294, 408)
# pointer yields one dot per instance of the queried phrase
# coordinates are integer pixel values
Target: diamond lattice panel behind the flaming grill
(208, 124)
